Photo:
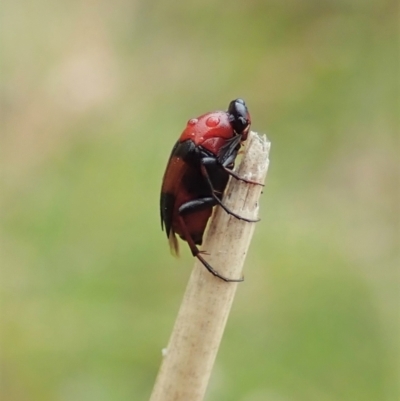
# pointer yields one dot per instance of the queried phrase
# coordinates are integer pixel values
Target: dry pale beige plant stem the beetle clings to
(198, 329)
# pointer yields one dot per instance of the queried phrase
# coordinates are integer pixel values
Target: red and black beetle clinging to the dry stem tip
(197, 173)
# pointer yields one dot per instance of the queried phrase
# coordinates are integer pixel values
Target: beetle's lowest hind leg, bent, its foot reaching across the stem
(194, 206)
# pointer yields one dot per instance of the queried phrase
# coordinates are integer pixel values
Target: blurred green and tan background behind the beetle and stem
(94, 95)
